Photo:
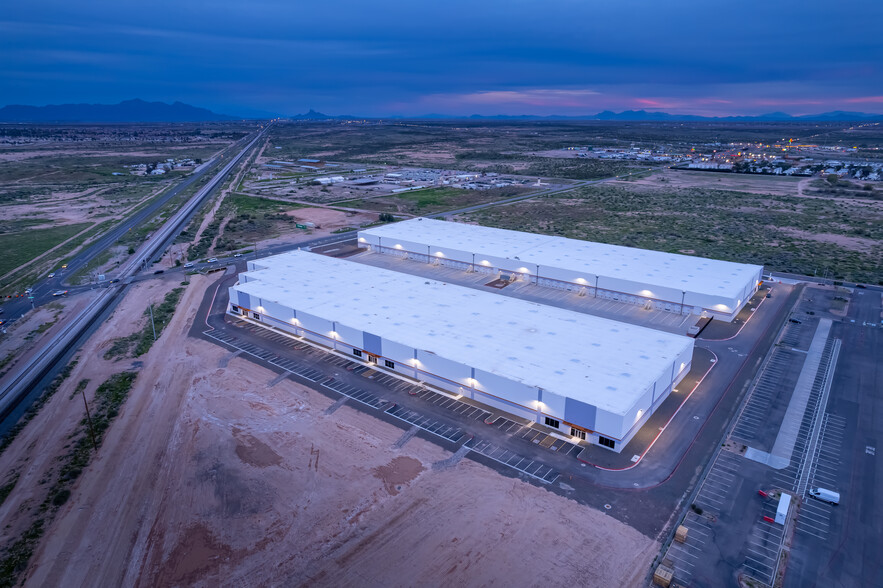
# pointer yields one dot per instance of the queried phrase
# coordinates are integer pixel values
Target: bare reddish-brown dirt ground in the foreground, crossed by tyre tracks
(209, 476)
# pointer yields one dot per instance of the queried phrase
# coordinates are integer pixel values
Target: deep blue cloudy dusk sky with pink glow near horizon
(384, 58)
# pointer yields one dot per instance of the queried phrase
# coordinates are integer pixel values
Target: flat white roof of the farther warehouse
(642, 266)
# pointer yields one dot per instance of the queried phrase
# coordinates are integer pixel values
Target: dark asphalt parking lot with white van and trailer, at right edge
(834, 447)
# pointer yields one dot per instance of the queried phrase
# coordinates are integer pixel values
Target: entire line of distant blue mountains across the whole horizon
(141, 111)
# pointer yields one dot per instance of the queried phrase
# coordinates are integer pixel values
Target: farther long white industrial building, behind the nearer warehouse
(665, 281)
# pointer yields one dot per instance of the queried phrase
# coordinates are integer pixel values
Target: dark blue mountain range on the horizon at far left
(126, 111)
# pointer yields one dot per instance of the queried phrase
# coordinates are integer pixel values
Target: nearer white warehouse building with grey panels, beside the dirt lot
(585, 376)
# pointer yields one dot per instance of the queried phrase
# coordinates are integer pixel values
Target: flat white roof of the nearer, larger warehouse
(598, 361)
